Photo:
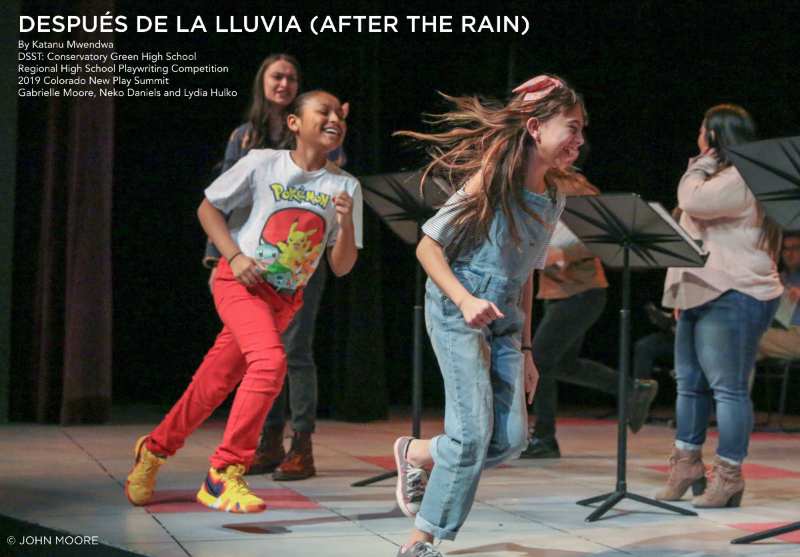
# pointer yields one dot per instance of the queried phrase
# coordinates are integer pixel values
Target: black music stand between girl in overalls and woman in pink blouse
(625, 231)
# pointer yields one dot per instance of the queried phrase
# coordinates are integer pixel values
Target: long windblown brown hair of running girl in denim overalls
(488, 139)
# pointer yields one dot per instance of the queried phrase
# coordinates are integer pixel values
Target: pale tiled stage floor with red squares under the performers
(71, 478)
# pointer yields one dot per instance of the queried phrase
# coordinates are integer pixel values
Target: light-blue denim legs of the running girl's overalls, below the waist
(485, 419)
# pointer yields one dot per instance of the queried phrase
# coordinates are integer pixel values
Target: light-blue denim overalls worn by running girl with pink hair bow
(485, 412)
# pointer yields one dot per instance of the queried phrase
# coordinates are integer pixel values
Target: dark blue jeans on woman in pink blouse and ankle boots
(715, 350)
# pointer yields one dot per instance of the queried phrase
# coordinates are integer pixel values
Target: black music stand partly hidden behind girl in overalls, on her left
(397, 201)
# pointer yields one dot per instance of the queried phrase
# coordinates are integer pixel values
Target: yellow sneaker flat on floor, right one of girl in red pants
(226, 490)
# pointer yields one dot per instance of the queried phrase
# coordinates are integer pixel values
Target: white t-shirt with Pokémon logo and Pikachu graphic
(293, 218)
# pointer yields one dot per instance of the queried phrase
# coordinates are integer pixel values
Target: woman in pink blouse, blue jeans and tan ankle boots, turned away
(724, 308)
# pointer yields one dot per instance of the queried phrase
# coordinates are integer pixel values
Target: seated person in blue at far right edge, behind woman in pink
(783, 341)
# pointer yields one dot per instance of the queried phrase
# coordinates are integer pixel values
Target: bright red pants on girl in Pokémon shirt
(249, 350)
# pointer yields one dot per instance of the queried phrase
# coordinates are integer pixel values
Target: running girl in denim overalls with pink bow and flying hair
(480, 251)
